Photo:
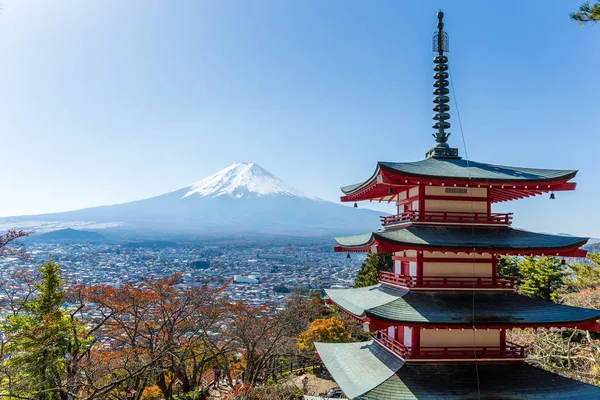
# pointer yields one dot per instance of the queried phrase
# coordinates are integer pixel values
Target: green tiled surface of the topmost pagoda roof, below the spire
(459, 169)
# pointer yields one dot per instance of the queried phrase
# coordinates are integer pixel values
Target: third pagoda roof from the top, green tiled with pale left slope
(440, 309)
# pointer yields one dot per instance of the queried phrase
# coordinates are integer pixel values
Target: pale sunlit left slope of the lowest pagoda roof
(358, 367)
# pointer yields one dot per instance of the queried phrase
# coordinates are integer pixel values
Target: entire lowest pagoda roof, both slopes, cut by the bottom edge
(364, 372)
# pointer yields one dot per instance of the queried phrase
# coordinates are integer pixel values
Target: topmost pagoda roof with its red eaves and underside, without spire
(435, 178)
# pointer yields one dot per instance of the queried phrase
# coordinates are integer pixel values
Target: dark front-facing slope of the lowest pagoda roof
(495, 381)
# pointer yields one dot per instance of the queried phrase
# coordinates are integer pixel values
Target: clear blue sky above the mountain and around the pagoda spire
(110, 101)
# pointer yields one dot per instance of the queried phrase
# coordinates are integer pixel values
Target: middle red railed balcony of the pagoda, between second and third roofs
(447, 282)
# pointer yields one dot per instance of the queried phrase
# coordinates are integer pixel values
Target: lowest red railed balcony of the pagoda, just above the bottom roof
(510, 351)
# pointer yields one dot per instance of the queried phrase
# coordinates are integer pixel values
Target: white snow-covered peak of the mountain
(242, 179)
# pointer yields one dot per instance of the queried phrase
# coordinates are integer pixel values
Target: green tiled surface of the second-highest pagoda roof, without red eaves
(463, 237)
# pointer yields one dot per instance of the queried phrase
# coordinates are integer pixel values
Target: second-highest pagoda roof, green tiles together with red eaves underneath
(507, 240)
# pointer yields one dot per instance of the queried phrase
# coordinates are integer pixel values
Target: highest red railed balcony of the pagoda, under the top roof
(447, 218)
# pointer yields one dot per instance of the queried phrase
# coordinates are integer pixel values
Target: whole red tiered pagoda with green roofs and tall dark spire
(438, 321)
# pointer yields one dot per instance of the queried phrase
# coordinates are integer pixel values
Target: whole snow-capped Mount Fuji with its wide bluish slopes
(242, 198)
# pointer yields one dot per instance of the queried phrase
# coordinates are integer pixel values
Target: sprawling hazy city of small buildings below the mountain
(259, 274)
